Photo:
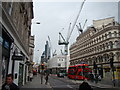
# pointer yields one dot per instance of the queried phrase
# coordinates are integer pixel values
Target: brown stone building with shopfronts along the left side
(15, 28)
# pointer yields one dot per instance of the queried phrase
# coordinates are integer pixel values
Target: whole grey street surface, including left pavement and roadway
(62, 83)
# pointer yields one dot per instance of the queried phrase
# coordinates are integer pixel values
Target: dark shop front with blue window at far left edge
(5, 41)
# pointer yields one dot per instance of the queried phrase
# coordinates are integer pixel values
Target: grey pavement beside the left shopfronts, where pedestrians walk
(36, 83)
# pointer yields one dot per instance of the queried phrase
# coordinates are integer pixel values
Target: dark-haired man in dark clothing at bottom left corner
(9, 84)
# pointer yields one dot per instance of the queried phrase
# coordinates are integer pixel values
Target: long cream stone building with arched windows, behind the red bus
(97, 45)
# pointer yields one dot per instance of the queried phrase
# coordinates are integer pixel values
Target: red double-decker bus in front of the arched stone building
(80, 72)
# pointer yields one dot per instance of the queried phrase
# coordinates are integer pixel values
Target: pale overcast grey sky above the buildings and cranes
(54, 16)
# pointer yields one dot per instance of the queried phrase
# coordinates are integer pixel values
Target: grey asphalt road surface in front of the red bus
(58, 83)
